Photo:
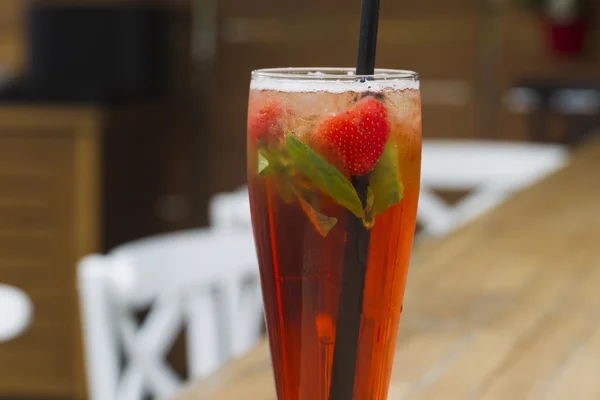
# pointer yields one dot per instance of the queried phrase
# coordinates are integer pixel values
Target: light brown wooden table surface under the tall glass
(507, 308)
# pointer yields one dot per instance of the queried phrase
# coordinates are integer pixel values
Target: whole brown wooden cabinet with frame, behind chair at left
(49, 206)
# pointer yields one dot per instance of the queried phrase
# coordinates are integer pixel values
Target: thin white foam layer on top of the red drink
(381, 84)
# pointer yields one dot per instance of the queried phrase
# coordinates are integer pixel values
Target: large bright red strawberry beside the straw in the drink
(356, 136)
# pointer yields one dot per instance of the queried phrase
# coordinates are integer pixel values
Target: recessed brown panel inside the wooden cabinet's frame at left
(36, 175)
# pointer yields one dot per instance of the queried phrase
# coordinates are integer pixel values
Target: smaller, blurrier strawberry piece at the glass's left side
(264, 123)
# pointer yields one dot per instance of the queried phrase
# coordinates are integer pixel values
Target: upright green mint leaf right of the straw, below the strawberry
(386, 182)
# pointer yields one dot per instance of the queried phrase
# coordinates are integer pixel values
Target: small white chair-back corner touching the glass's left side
(231, 210)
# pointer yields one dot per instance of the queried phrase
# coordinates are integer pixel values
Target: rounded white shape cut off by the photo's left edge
(15, 312)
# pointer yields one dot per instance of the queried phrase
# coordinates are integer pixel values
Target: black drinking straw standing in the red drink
(356, 249)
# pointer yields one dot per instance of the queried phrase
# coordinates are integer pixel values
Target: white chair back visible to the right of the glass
(492, 171)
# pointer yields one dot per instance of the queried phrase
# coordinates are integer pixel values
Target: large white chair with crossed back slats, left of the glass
(203, 279)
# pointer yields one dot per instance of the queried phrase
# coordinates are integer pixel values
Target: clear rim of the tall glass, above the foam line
(333, 74)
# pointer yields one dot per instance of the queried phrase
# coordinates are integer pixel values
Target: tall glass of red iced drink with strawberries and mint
(333, 173)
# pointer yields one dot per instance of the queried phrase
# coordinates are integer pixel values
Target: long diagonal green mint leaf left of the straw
(323, 175)
